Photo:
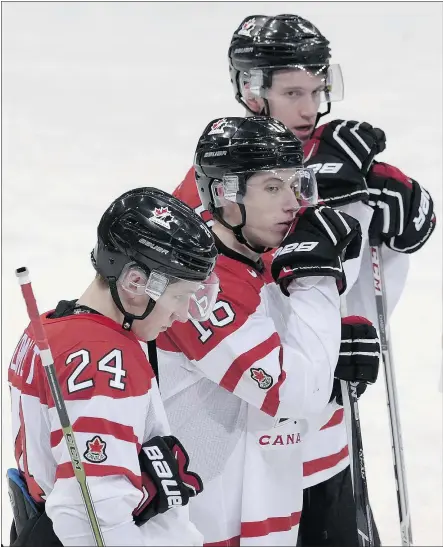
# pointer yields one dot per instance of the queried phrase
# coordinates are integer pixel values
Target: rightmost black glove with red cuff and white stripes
(404, 215)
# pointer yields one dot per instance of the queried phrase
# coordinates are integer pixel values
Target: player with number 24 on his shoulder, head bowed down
(153, 259)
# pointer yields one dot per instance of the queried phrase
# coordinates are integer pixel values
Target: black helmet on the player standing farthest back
(263, 44)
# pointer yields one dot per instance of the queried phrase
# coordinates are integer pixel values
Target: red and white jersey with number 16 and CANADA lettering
(239, 390)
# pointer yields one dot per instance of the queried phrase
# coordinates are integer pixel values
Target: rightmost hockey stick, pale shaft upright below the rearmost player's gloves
(391, 392)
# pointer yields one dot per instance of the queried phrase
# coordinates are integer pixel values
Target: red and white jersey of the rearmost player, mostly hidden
(326, 452)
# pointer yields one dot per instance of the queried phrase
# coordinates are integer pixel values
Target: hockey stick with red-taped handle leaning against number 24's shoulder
(48, 364)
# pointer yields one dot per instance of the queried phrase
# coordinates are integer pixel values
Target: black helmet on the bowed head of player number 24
(158, 233)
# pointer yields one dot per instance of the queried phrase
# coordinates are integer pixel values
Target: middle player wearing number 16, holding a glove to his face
(240, 386)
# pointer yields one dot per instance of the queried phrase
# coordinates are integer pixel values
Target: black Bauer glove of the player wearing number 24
(166, 480)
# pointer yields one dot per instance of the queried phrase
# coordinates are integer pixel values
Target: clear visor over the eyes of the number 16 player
(272, 185)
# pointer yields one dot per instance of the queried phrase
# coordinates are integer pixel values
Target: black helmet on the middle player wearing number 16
(232, 149)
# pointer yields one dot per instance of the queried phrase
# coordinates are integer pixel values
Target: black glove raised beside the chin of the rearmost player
(342, 152)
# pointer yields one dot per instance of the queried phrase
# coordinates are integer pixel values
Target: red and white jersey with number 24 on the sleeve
(114, 406)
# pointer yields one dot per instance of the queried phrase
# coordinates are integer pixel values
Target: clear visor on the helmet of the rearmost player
(325, 81)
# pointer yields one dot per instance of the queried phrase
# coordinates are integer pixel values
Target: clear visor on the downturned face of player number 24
(181, 297)
